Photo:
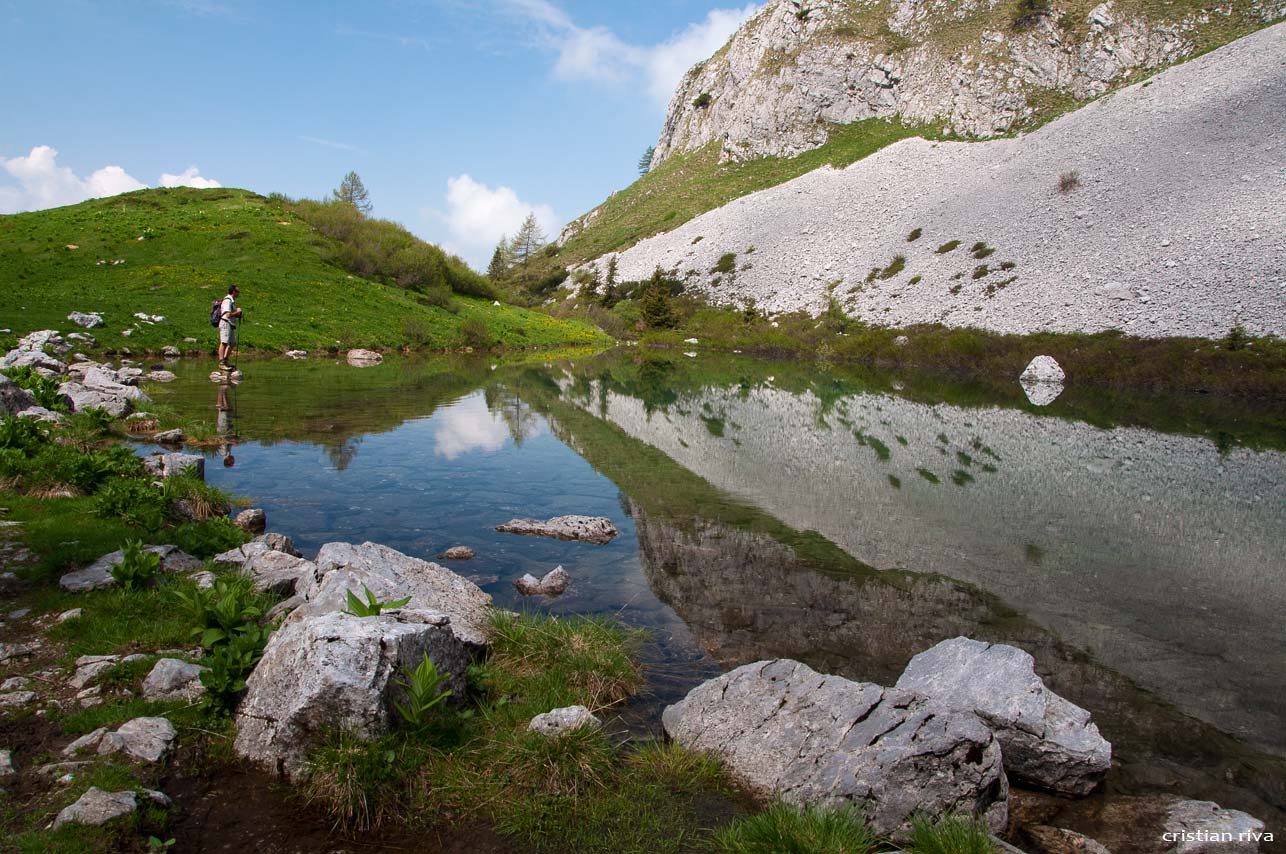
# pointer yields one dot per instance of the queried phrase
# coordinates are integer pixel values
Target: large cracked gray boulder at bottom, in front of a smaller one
(789, 732)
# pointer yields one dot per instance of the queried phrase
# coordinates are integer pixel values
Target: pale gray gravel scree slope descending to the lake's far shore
(1177, 228)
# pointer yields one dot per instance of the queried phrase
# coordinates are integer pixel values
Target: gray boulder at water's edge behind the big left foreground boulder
(392, 576)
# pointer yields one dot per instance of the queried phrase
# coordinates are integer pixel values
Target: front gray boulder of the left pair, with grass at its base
(338, 671)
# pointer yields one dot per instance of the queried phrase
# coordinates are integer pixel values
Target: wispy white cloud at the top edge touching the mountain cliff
(599, 55)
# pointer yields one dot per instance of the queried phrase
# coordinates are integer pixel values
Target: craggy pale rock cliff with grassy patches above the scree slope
(795, 71)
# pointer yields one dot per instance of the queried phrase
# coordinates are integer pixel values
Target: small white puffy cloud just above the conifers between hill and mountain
(479, 217)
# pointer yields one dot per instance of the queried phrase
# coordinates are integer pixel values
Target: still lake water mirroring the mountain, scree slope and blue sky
(835, 518)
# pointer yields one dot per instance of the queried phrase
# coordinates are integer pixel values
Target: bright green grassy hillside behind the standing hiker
(181, 249)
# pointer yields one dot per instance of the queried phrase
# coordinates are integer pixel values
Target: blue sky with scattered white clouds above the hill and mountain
(460, 116)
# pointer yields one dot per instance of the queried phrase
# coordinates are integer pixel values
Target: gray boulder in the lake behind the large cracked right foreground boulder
(1047, 740)
